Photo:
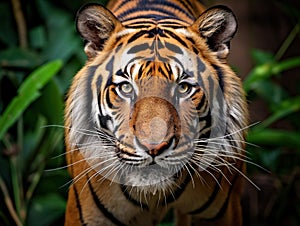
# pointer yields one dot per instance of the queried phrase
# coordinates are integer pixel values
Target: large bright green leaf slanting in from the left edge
(27, 93)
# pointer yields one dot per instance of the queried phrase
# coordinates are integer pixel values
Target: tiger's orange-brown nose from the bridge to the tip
(155, 124)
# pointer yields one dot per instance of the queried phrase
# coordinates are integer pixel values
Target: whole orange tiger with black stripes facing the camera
(156, 119)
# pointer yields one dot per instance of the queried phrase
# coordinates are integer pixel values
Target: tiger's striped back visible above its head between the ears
(181, 12)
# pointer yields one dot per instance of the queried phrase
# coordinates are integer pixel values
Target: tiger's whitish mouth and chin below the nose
(151, 174)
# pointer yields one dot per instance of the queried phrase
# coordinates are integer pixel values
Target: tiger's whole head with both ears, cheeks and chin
(155, 100)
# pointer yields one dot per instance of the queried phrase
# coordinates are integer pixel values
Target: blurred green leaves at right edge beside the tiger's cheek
(262, 83)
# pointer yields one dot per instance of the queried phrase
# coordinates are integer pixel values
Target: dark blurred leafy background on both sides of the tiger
(265, 53)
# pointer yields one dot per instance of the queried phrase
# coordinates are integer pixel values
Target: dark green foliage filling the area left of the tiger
(34, 77)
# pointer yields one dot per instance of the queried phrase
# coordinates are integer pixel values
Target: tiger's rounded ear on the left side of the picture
(95, 24)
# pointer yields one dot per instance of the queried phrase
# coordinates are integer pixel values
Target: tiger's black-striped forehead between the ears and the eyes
(150, 52)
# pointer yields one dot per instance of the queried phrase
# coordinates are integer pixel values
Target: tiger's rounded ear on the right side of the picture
(217, 25)
